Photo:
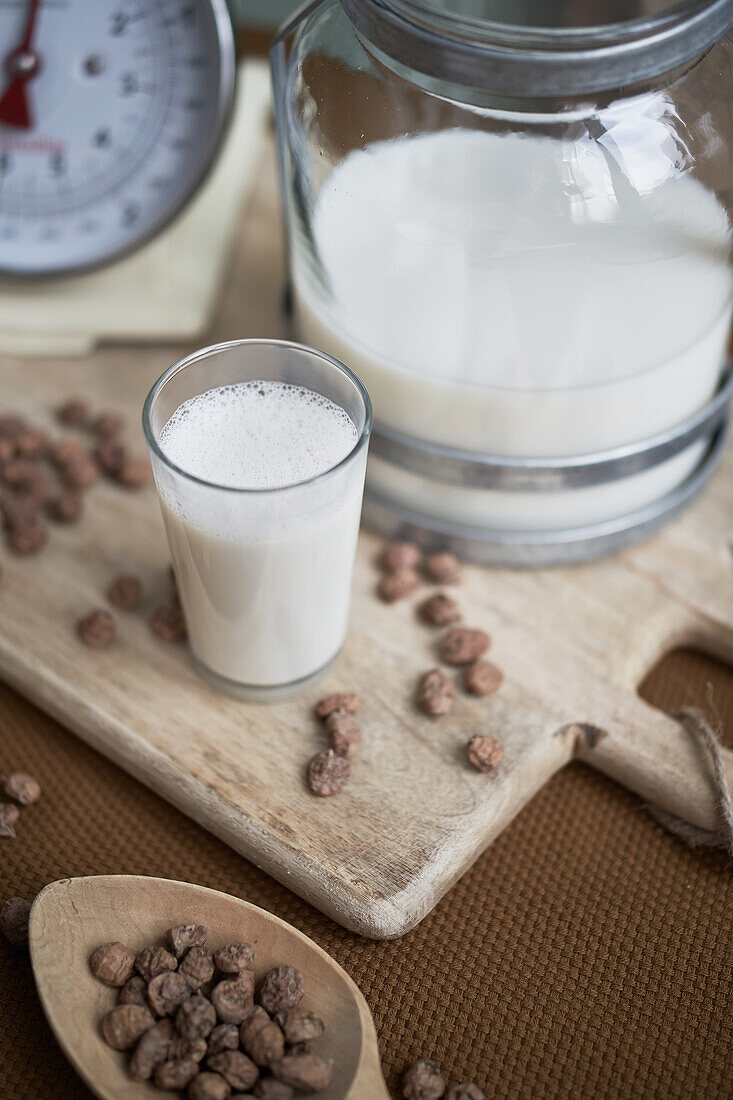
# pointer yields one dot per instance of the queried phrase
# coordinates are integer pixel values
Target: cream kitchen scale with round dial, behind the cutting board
(128, 141)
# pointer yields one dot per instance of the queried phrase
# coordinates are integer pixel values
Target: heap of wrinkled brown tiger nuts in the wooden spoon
(199, 1020)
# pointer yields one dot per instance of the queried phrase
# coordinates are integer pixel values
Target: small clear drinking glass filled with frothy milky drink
(265, 575)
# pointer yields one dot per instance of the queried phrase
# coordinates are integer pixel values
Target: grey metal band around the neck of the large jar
(535, 62)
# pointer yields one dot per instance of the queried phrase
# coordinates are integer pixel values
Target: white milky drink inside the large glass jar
(523, 296)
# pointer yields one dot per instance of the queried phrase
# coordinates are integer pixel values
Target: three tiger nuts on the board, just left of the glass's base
(97, 630)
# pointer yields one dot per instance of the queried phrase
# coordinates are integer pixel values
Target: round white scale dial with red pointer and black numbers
(112, 113)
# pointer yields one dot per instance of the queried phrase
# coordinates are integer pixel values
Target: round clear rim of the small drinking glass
(213, 350)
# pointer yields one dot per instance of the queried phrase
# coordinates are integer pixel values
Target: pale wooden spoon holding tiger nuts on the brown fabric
(73, 917)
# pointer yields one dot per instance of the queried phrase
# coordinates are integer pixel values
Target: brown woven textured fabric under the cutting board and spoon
(586, 955)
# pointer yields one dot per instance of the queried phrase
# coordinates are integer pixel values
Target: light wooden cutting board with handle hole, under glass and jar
(574, 645)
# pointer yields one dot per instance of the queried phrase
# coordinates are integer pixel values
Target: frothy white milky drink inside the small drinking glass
(262, 527)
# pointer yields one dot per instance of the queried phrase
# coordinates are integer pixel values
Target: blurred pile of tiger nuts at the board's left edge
(46, 479)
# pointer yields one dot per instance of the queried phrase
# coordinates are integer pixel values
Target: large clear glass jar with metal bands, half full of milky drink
(513, 221)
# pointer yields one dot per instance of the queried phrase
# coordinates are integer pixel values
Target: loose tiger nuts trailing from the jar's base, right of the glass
(403, 569)
